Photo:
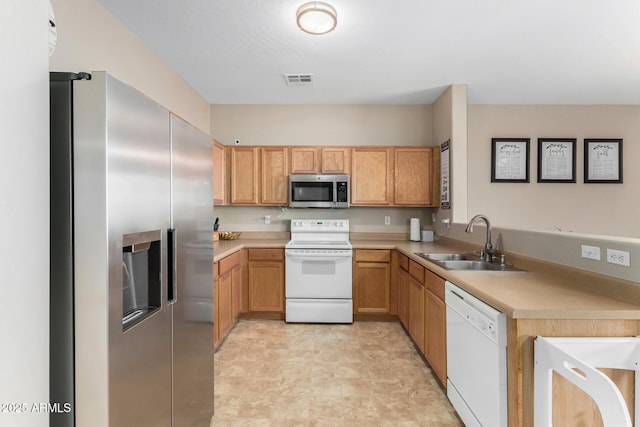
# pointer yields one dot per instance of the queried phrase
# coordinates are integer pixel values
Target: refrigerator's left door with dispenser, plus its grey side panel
(122, 211)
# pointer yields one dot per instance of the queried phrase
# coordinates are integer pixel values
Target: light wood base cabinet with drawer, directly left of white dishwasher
(436, 328)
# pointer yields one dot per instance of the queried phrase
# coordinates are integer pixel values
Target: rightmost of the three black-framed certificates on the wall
(603, 161)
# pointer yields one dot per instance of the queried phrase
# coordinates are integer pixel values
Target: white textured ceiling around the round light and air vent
(398, 52)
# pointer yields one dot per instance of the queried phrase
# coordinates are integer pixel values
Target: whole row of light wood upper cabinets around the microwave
(380, 176)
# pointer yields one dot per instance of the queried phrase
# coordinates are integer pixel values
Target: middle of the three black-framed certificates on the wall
(557, 160)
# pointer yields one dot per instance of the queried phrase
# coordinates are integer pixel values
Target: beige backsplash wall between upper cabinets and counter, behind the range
(362, 219)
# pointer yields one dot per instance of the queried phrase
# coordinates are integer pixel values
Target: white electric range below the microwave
(319, 271)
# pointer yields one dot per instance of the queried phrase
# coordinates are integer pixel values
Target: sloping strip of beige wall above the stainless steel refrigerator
(91, 39)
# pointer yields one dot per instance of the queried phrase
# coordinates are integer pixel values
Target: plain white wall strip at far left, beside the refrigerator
(24, 212)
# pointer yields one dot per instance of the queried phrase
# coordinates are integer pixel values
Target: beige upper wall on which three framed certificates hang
(604, 209)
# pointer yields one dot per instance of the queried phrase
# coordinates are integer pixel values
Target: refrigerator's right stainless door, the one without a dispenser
(192, 220)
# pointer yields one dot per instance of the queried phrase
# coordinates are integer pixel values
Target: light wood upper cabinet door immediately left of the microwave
(275, 182)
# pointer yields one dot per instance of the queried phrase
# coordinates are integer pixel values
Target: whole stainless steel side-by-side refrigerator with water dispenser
(131, 259)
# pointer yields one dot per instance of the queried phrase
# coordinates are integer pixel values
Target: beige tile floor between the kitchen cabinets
(269, 373)
